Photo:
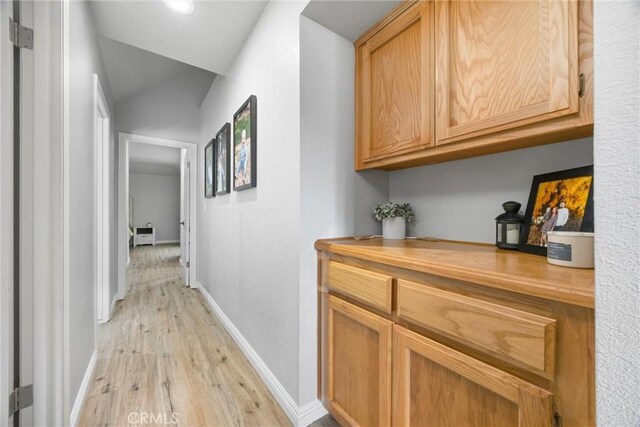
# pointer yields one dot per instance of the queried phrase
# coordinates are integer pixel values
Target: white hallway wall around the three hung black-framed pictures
(248, 253)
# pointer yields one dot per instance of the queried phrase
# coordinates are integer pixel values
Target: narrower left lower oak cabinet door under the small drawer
(359, 365)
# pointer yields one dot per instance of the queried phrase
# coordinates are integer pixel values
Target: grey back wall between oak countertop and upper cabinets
(459, 200)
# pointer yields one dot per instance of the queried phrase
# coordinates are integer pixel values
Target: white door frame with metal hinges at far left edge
(47, 173)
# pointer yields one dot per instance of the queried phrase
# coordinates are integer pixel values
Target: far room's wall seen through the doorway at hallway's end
(156, 199)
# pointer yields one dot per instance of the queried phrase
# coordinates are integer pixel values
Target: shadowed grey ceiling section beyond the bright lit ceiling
(131, 71)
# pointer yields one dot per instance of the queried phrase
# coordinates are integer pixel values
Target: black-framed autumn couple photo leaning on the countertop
(556, 196)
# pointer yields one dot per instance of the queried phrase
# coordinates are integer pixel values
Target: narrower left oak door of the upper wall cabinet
(394, 82)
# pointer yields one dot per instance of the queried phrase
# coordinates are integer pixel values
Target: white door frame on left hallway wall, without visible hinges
(102, 253)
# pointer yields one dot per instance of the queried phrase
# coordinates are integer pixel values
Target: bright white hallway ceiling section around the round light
(210, 38)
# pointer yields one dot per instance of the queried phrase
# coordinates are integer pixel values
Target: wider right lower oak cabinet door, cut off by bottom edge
(434, 385)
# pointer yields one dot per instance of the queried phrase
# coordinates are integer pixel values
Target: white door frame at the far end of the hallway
(124, 139)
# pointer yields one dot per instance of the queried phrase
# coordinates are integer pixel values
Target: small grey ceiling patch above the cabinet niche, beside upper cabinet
(348, 18)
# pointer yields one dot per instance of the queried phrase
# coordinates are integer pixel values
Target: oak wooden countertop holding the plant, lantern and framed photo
(475, 263)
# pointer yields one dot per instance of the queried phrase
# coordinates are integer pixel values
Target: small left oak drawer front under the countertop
(366, 286)
